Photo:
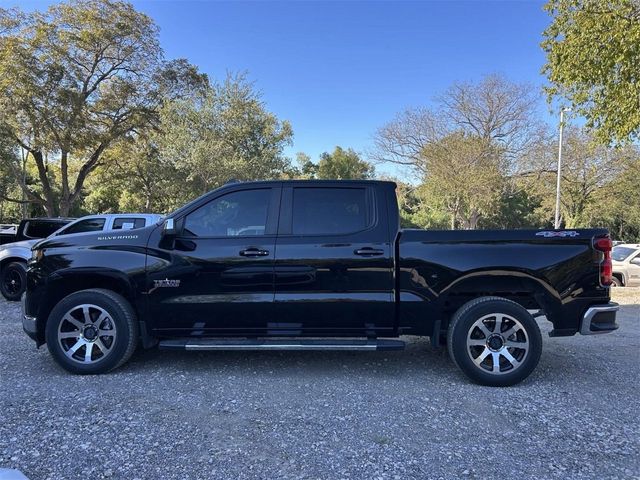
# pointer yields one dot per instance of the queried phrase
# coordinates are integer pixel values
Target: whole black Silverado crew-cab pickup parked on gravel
(315, 265)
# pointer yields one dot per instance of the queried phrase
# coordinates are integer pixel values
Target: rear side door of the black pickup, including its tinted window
(334, 262)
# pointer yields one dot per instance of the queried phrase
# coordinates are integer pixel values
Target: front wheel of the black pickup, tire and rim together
(107, 352)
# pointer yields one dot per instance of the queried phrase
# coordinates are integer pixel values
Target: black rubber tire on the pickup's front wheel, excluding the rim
(119, 318)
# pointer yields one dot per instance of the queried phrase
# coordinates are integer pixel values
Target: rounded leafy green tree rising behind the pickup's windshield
(228, 133)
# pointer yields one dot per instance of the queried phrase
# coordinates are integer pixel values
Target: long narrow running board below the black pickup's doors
(204, 344)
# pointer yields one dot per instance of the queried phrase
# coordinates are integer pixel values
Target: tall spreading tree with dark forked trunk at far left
(74, 80)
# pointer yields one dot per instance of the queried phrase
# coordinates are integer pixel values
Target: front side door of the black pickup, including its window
(218, 275)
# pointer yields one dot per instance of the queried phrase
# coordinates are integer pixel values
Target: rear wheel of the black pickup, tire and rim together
(475, 353)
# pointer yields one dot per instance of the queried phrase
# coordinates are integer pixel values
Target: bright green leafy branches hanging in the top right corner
(593, 62)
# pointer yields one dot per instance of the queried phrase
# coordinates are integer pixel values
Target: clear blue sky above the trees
(340, 70)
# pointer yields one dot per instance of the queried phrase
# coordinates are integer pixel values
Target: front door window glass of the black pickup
(242, 213)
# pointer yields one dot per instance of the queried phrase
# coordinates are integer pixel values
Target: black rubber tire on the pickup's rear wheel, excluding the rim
(459, 342)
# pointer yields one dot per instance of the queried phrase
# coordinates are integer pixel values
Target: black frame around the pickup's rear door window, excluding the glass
(285, 227)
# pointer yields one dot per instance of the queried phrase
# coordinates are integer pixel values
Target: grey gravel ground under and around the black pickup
(410, 414)
